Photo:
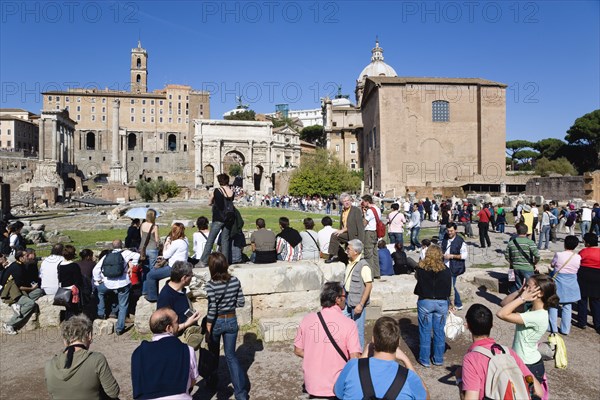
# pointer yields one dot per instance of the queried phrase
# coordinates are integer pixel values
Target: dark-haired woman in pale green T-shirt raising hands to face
(528, 310)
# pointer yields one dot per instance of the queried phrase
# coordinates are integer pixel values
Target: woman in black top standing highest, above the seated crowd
(223, 217)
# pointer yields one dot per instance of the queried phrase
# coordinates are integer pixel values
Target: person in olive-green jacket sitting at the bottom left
(77, 372)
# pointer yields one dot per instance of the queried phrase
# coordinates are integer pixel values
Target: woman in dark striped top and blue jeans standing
(224, 294)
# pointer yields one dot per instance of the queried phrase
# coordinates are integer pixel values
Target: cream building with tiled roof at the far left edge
(19, 131)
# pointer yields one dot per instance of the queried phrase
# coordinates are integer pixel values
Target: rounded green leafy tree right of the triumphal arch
(321, 174)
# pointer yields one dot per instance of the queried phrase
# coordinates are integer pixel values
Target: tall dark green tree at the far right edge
(584, 142)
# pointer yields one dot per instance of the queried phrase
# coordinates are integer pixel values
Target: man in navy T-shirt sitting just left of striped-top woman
(173, 295)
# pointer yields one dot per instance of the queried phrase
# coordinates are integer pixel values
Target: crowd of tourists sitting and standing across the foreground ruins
(337, 363)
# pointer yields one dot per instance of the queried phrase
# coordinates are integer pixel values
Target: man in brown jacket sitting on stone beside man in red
(351, 227)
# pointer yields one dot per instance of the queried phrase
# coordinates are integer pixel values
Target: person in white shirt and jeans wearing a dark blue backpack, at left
(112, 274)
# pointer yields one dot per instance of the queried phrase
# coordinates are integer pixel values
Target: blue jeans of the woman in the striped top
(228, 329)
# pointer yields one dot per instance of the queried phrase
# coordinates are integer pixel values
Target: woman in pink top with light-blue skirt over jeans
(564, 271)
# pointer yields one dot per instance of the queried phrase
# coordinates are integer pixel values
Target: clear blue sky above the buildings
(547, 52)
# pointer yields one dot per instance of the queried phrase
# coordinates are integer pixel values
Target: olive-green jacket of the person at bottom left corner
(89, 373)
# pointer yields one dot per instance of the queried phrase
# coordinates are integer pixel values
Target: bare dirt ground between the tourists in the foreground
(275, 372)
